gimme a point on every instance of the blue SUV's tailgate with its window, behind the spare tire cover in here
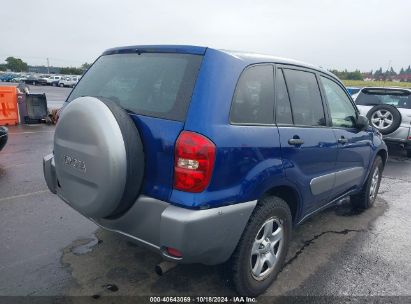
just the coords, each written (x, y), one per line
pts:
(154, 85)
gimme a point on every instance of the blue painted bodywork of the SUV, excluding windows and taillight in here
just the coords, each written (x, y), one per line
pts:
(250, 160)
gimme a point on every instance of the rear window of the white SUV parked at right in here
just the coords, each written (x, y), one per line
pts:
(397, 98)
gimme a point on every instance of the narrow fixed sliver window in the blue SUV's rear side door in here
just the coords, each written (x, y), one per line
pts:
(283, 107)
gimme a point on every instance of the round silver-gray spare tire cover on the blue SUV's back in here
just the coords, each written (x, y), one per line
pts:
(99, 157)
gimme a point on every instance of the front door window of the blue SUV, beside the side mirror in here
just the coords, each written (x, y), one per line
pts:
(342, 111)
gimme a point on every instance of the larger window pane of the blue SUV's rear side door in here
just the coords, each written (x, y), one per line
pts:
(305, 98)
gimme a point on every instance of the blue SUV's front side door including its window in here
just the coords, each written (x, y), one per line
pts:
(354, 146)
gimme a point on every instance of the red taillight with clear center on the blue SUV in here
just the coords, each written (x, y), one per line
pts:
(193, 162)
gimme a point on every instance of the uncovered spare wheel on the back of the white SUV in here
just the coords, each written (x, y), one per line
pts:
(385, 118)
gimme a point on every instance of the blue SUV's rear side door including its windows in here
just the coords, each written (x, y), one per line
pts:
(308, 144)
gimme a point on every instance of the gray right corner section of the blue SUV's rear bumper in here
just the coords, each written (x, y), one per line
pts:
(205, 236)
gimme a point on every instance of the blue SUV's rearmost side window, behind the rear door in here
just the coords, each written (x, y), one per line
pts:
(253, 100)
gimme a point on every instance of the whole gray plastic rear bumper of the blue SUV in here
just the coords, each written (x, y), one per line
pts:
(206, 236)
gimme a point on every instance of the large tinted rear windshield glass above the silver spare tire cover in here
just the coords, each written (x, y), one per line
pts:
(158, 85)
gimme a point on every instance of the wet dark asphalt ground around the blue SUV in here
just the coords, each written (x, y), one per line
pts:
(49, 249)
